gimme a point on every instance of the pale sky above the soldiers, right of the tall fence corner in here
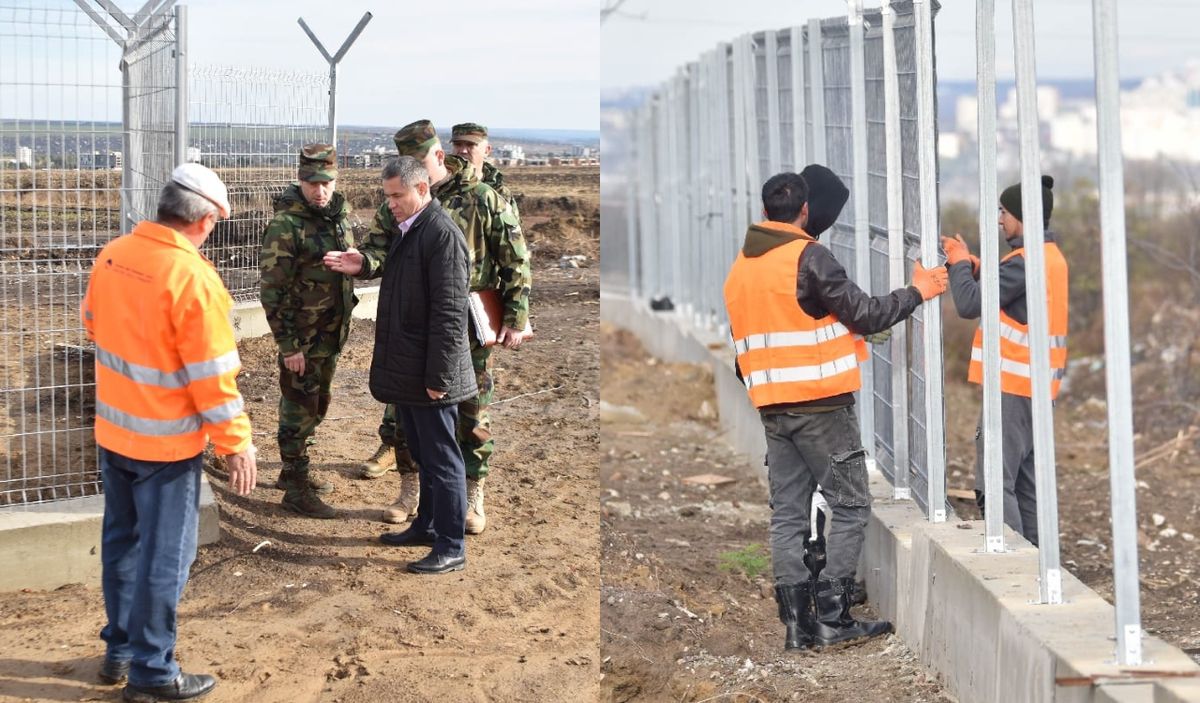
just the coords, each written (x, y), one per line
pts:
(505, 64)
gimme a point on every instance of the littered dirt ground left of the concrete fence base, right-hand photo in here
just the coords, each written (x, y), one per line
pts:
(681, 617)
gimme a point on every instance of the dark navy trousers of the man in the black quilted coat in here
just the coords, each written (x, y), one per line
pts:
(442, 510)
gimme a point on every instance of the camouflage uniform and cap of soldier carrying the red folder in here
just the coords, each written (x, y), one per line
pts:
(500, 261)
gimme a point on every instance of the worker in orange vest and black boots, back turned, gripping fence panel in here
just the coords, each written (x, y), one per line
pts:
(797, 322)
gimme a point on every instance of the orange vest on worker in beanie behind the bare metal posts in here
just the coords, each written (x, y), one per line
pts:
(1015, 338)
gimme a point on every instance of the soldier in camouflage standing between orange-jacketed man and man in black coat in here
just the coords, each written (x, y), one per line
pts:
(309, 310)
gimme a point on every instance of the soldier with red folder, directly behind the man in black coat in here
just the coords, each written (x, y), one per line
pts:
(500, 261)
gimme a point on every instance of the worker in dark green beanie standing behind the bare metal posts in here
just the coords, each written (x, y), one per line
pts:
(1016, 388)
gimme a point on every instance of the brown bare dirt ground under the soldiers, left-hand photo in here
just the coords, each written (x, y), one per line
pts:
(325, 612)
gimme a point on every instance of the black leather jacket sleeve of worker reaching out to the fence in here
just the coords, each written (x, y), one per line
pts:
(823, 287)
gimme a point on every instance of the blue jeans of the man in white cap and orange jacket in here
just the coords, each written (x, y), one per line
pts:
(152, 519)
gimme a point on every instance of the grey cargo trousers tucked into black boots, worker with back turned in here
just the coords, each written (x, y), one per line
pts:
(806, 450)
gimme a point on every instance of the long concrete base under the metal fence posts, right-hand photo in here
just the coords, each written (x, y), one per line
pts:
(968, 615)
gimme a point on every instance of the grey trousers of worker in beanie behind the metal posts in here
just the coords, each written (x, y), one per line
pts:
(1021, 491)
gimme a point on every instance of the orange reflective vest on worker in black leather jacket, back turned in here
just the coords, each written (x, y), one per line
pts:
(785, 354)
